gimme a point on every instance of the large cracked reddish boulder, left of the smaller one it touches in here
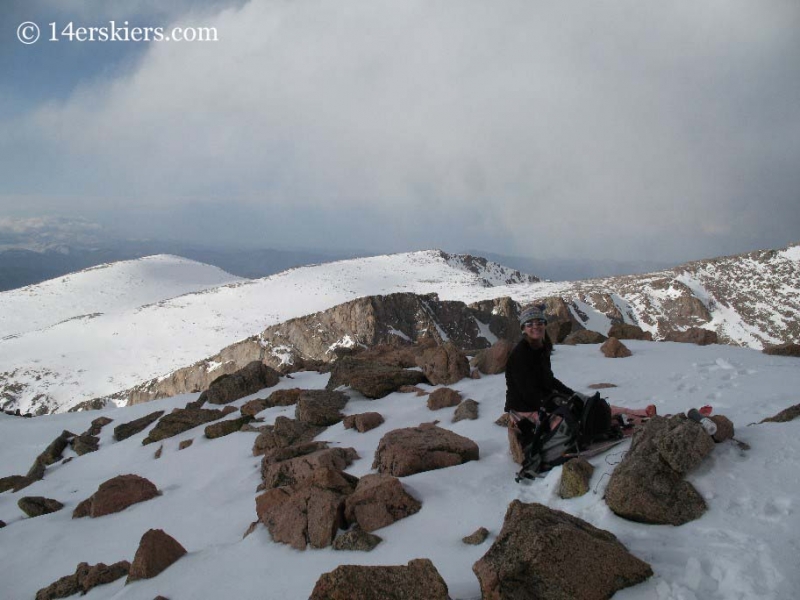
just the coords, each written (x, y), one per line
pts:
(310, 512)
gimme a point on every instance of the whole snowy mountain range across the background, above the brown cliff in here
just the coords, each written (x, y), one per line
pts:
(66, 344)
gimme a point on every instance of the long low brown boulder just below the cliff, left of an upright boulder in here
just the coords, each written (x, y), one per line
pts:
(372, 379)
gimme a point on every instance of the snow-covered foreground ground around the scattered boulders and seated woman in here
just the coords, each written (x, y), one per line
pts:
(745, 547)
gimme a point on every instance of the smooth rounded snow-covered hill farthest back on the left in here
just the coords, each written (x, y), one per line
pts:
(113, 287)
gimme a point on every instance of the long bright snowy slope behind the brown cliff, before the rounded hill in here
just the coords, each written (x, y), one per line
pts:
(98, 355)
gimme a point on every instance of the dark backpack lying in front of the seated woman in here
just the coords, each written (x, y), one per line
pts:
(557, 436)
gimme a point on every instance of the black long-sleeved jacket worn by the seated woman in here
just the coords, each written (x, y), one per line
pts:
(529, 379)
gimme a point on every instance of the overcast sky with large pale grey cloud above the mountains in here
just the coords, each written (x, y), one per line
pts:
(609, 130)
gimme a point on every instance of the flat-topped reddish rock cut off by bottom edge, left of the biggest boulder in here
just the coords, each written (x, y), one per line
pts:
(419, 579)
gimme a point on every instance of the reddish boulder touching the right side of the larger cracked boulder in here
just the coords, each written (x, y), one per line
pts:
(378, 501)
